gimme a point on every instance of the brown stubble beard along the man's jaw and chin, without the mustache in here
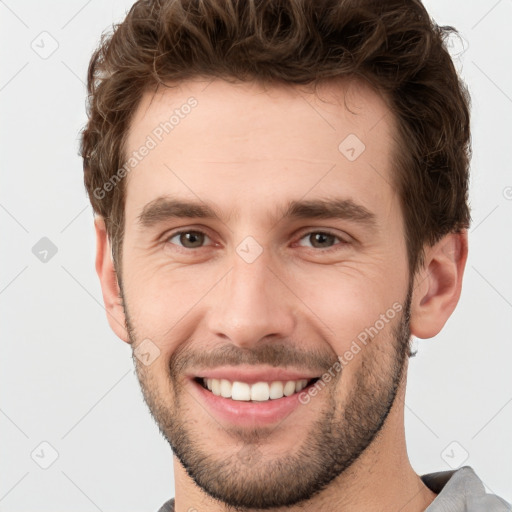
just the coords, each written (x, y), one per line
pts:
(243, 478)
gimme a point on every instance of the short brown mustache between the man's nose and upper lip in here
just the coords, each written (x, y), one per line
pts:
(272, 354)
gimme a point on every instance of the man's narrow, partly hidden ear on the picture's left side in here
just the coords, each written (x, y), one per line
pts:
(108, 279)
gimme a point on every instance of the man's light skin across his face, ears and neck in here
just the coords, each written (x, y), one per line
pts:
(248, 151)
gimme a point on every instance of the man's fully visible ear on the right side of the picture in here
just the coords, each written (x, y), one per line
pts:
(438, 284)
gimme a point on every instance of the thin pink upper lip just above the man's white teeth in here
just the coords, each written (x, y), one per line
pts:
(252, 374)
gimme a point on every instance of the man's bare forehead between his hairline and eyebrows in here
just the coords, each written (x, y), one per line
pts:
(240, 145)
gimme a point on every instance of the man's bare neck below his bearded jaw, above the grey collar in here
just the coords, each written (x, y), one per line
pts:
(381, 479)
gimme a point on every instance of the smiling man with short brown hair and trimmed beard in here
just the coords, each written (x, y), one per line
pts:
(280, 190)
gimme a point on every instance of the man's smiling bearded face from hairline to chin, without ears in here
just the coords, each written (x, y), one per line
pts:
(265, 281)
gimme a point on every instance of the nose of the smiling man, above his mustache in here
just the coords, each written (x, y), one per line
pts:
(251, 303)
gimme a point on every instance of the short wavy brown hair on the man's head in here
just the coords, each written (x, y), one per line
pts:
(392, 44)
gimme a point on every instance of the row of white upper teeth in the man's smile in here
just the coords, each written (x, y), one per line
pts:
(259, 391)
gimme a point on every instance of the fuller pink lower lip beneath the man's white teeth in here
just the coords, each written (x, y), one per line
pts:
(244, 413)
